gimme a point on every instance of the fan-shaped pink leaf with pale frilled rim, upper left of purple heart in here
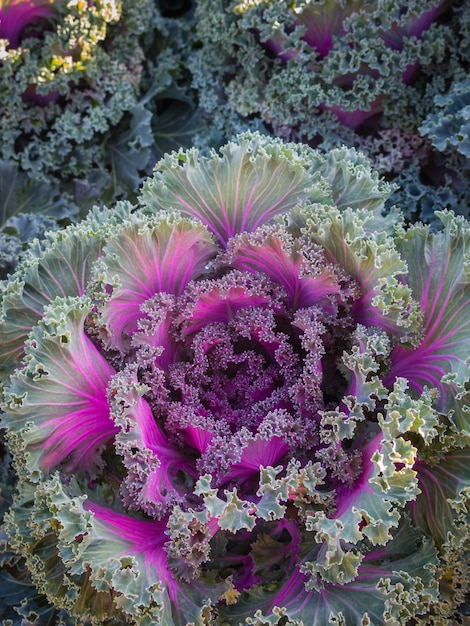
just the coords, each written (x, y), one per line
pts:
(146, 256)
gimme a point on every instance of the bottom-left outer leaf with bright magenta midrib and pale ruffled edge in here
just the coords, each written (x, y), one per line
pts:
(129, 556)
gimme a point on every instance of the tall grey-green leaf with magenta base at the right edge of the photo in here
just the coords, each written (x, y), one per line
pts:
(439, 277)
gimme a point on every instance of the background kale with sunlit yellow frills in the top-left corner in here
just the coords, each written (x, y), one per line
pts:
(77, 82)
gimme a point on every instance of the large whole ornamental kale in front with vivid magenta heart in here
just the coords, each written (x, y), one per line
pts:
(243, 400)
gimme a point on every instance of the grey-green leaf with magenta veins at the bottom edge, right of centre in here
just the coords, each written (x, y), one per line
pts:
(386, 577)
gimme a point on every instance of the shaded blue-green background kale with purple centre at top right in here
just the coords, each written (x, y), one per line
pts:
(328, 72)
